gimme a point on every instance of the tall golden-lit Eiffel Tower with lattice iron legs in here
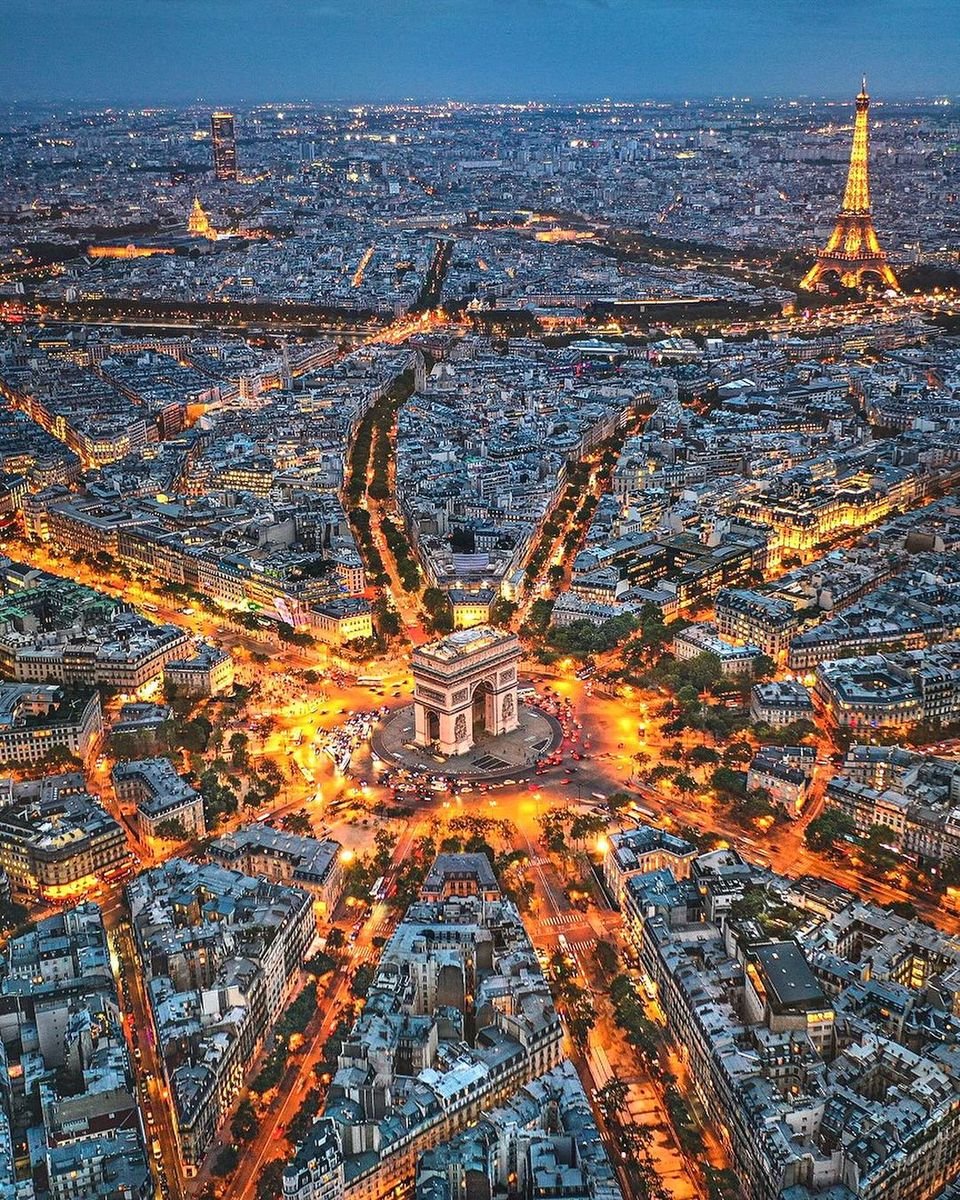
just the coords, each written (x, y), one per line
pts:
(853, 256)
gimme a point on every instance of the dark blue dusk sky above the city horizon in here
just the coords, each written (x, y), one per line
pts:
(235, 51)
